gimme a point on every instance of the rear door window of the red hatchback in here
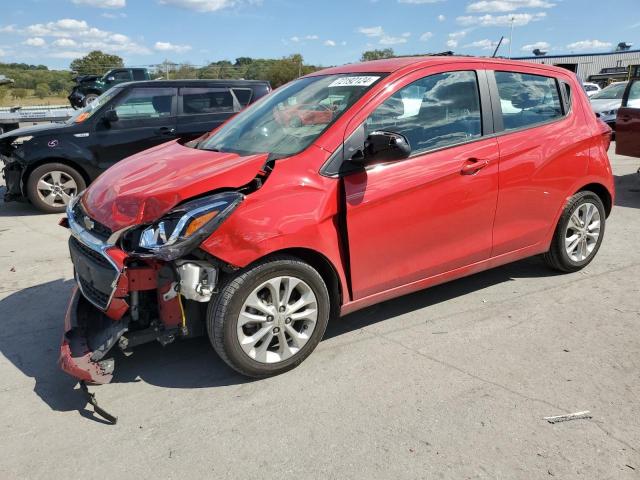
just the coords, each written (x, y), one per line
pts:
(527, 100)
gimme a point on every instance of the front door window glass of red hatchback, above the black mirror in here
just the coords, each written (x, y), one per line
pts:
(434, 112)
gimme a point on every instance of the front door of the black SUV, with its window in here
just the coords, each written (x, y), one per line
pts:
(146, 118)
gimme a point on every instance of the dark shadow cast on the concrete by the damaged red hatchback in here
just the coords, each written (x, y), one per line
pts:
(33, 323)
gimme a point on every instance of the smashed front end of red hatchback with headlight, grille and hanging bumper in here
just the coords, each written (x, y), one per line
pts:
(137, 285)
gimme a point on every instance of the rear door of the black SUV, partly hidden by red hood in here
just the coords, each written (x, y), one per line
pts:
(201, 109)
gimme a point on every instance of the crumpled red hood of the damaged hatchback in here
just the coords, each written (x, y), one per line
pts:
(145, 186)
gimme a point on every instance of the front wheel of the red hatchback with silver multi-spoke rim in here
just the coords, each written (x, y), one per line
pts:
(268, 318)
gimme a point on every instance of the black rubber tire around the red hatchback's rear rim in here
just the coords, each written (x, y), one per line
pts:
(557, 256)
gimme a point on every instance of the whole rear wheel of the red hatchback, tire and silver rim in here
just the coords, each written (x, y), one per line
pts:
(579, 233)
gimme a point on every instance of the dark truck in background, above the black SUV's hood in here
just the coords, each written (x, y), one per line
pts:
(90, 87)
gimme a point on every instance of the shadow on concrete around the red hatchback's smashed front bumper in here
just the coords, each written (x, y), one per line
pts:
(32, 321)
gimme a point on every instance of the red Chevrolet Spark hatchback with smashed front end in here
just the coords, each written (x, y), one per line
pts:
(424, 170)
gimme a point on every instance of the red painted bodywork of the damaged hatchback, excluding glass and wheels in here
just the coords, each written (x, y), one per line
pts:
(392, 228)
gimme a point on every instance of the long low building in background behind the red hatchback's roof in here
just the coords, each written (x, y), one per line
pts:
(600, 68)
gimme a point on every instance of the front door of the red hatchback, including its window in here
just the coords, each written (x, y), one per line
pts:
(432, 212)
